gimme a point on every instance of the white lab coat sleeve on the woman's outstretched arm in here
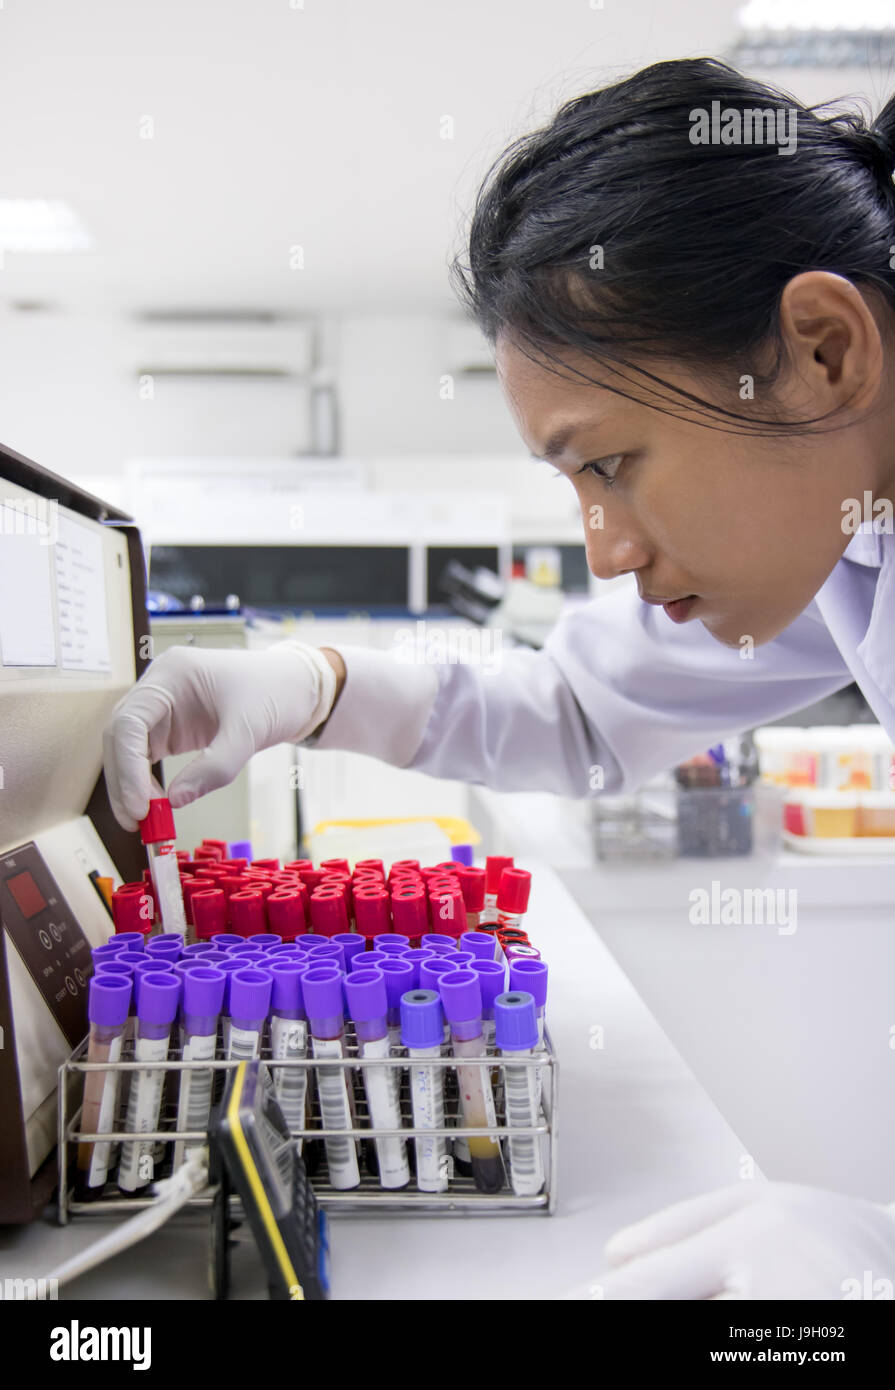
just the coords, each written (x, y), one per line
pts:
(618, 694)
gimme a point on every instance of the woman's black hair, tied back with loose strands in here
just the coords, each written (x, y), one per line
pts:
(700, 240)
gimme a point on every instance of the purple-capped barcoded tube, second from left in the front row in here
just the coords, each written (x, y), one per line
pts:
(158, 999)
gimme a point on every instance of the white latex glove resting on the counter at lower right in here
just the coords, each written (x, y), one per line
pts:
(755, 1241)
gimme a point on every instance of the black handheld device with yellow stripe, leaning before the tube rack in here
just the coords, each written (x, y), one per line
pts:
(255, 1156)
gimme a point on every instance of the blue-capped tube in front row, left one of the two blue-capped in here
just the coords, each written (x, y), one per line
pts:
(422, 1033)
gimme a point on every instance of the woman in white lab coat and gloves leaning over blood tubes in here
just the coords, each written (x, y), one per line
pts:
(694, 322)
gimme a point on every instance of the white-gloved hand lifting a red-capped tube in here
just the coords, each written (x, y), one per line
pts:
(229, 704)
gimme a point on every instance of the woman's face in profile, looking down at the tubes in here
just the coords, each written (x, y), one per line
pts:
(733, 530)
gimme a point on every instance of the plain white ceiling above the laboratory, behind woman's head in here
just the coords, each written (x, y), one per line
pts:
(279, 126)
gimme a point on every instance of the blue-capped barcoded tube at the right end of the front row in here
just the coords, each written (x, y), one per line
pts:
(516, 1035)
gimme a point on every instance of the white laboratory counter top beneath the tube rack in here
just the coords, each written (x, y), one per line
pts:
(636, 1132)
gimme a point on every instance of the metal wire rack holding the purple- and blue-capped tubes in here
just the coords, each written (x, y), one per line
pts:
(461, 1197)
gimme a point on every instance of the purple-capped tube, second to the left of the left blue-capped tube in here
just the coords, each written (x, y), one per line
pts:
(322, 986)
